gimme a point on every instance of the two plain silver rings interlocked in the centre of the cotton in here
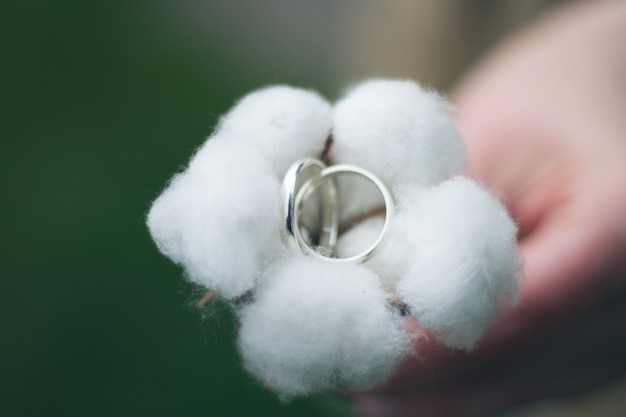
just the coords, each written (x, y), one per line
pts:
(302, 180)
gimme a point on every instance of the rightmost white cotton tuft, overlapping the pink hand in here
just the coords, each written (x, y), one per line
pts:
(464, 262)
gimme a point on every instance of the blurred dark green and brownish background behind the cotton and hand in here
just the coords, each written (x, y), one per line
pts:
(100, 103)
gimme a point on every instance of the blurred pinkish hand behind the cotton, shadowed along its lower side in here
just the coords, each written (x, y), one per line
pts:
(544, 120)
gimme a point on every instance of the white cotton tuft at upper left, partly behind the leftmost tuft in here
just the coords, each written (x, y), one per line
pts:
(284, 123)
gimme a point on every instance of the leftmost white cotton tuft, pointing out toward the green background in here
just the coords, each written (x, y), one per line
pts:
(219, 219)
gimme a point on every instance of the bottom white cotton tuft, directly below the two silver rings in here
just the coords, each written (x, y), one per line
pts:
(318, 326)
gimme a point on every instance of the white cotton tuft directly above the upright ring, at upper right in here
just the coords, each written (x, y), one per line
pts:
(399, 131)
